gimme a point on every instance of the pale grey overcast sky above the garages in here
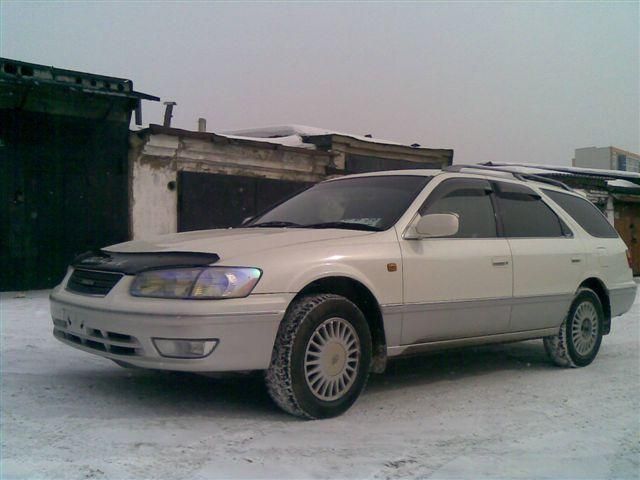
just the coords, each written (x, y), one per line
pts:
(508, 82)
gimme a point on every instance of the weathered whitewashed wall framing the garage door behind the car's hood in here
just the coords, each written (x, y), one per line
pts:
(156, 159)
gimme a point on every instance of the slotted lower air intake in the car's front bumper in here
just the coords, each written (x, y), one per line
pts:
(100, 340)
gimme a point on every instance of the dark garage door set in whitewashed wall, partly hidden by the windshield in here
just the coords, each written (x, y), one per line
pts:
(208, 200)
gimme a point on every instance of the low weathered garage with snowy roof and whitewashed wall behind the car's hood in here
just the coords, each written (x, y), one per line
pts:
(185, 180)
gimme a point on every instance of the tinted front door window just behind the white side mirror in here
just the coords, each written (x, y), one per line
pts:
(470, 199)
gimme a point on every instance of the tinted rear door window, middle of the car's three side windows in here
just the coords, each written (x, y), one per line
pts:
(525, 215)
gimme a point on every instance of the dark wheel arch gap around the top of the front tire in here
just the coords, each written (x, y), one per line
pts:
(365, 300)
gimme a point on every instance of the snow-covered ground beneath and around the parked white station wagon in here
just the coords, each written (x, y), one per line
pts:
(490, 412)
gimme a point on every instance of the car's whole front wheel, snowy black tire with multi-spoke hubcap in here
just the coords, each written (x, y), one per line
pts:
(321, 358)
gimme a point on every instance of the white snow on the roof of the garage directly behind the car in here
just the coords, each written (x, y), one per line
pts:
(297, 133)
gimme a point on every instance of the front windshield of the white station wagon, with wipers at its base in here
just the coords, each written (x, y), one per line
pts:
(364, 203)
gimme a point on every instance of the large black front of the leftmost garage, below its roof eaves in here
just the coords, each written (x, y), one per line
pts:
(63, 191)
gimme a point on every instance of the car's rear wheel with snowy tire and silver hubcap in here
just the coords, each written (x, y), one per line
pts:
(580, 335)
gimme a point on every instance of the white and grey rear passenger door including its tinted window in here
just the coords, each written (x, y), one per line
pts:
(548, 261)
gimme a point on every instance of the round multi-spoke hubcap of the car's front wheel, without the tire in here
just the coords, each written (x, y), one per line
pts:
(331, 359)
